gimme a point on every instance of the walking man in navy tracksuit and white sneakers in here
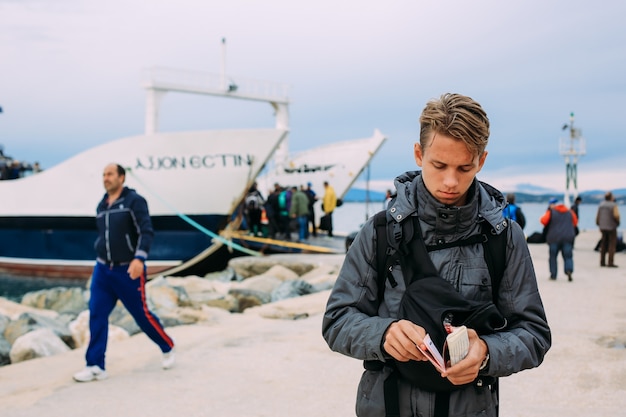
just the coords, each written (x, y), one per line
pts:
(125, 234)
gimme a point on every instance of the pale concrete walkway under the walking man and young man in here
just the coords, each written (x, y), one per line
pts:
(247, 366)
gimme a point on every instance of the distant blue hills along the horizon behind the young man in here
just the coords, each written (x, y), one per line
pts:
(589, 197)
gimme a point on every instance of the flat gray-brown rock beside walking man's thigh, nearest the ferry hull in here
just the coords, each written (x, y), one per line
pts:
(59, 299)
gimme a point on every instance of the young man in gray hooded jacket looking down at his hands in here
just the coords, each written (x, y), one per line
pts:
(451, 205)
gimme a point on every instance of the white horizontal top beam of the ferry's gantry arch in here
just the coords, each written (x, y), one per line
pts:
(170, 78)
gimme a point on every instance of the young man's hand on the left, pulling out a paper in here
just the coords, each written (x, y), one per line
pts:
(401, 340)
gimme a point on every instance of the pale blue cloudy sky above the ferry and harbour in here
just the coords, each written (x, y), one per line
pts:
(71, 74)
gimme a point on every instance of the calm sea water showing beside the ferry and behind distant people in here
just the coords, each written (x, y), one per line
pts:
(347, 218)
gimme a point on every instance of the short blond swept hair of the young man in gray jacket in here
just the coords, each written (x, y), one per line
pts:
(457, 116)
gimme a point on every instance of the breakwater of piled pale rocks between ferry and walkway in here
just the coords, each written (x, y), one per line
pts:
(53, 321)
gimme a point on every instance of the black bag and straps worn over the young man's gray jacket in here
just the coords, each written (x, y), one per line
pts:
(428, 300)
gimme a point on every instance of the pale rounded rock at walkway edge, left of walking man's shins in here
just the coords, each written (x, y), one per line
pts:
(36, 344)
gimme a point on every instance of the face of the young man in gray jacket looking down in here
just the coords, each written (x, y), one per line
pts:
(448, 168)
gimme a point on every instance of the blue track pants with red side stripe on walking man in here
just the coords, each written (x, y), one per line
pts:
(108, 285)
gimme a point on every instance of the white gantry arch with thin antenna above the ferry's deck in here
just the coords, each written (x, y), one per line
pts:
(159, 81)
